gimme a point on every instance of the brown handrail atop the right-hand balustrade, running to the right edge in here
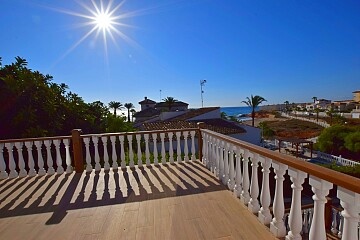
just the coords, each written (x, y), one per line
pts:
(338, 178)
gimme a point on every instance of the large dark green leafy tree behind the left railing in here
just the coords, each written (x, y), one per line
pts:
(34, 106)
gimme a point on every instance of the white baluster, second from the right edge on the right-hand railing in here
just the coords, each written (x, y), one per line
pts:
(320, 188)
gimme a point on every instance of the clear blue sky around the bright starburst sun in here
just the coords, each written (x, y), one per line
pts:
(281, 49)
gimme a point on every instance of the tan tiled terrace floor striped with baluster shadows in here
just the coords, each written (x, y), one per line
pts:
(178, 201)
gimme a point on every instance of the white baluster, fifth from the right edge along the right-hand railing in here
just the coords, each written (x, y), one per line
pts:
(264, 214)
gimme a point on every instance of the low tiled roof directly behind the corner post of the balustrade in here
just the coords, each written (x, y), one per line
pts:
(217, 125)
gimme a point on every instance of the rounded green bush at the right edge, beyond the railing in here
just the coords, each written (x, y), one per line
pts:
(340, 140)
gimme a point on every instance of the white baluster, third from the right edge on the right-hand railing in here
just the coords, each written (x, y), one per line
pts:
(295, 218)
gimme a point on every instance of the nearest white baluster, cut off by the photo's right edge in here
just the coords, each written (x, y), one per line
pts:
(350, 201)
